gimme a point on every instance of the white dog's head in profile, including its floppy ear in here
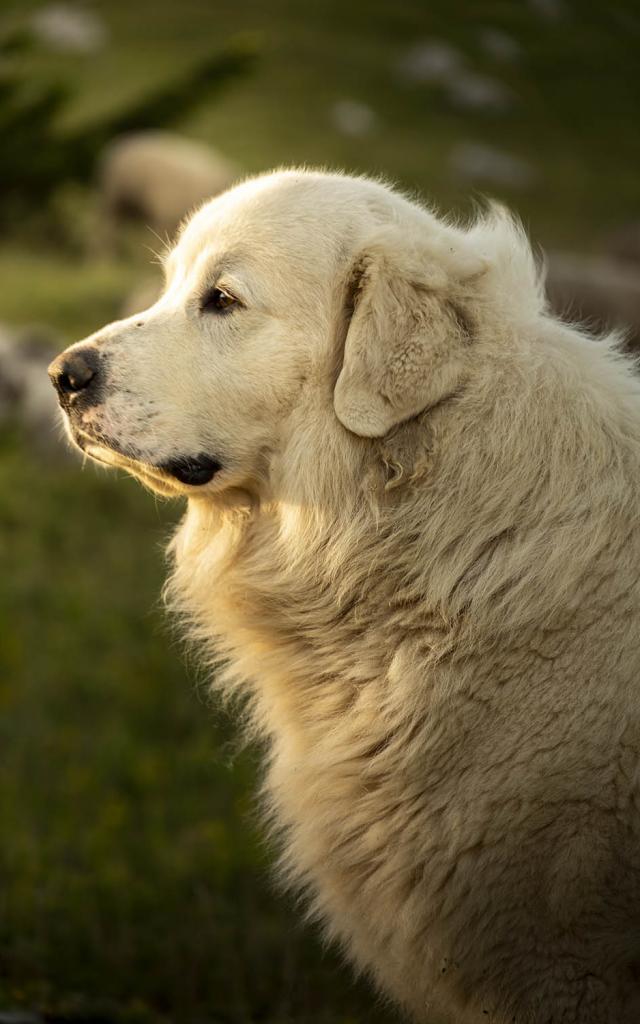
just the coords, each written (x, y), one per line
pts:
(289, 289)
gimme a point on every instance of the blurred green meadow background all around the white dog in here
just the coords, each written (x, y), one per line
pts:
(135, 885)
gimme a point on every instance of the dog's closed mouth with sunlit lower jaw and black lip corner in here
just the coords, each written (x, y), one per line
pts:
(191, 472)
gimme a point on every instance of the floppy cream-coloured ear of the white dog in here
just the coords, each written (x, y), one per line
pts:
(407, 336)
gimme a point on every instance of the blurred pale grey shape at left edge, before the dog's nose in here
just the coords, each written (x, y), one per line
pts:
(26, 394)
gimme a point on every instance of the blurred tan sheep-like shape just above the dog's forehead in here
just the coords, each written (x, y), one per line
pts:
(158, 178)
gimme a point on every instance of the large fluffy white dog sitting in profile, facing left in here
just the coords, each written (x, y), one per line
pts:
(413, 536)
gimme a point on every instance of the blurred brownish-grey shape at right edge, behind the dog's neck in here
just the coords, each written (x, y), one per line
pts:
(596, 291)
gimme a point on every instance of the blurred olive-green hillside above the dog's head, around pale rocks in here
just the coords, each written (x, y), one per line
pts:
(576, 81)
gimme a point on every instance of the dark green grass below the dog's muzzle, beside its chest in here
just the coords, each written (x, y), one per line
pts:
(133, 879)
